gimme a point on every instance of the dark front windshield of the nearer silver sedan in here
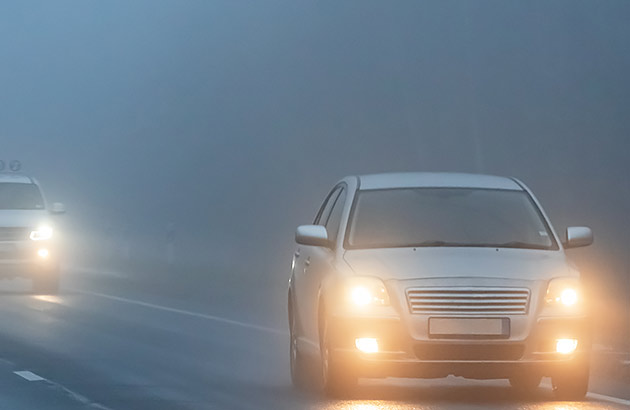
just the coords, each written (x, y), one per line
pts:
(436, 217)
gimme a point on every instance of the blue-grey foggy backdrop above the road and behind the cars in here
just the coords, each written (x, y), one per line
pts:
(230, 120)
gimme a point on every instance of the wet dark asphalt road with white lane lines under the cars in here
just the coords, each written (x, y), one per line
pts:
(99, 347)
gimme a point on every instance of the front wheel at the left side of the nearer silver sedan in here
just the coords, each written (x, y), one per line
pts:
(336, 380)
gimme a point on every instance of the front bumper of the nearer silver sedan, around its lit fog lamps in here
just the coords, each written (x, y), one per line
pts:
(400, 355)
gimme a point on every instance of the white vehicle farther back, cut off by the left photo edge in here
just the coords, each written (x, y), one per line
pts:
(28, 245)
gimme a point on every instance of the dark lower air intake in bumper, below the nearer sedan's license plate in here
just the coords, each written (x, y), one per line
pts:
(469, 352)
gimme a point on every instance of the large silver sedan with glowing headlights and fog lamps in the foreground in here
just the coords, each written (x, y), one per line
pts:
(426, 275)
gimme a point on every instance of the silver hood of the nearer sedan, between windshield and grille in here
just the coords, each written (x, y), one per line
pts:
(427, 263)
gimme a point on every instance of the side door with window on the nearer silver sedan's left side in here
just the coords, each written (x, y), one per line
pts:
(307, 261)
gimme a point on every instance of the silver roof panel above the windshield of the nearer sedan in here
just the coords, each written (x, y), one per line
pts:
(436, 180)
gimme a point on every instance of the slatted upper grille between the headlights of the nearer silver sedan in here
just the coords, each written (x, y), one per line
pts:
(468, 300)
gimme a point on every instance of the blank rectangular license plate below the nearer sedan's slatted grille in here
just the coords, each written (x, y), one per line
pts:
(466, 328)
